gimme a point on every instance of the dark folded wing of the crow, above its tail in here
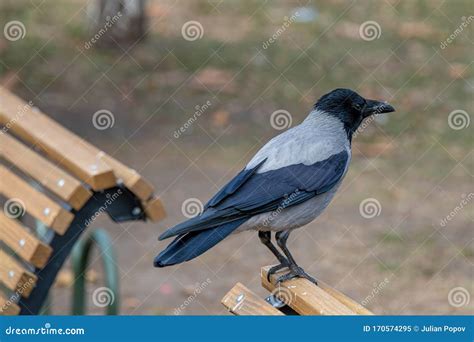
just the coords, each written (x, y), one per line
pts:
(252, 193)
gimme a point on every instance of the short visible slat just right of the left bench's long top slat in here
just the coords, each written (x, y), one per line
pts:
(132, 180)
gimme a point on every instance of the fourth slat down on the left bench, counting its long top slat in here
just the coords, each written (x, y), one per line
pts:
(24, 244)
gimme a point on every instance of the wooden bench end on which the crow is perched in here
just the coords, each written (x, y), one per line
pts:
(295, 297)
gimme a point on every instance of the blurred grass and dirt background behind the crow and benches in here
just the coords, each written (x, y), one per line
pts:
(195, 88)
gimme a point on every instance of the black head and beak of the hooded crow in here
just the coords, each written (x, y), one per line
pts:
(350, 107)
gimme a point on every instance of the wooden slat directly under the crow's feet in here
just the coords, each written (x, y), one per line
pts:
(303, 296)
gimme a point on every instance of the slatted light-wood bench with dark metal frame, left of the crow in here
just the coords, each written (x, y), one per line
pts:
(52, 176)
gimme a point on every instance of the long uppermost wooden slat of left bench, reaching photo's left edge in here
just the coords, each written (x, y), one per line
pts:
(75, 154)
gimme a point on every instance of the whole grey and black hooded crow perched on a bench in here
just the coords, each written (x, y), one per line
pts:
(287, 184)
